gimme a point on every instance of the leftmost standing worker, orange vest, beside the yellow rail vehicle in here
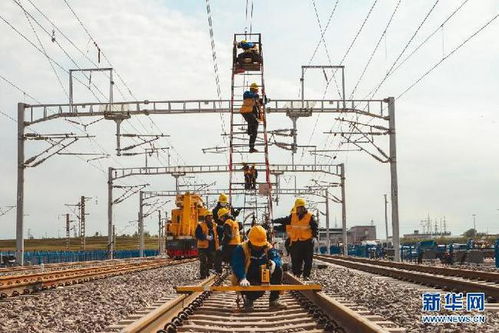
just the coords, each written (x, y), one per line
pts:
(208, 244)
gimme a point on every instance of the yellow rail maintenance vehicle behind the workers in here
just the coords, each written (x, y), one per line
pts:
(180, 239)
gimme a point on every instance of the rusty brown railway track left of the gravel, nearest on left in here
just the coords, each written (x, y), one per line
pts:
(14, 285)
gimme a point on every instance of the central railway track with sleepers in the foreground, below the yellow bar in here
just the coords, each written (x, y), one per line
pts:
(209, 311)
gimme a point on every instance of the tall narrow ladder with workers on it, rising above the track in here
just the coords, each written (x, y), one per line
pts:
(248, 76)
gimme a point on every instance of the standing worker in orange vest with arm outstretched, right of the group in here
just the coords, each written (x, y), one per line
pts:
(301, 229)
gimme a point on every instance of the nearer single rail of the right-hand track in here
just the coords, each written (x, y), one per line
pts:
(430, 279)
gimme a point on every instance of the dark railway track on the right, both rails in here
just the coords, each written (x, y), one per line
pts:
(439, 277)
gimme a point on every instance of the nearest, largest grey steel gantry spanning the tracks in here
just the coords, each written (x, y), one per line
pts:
(28, 115)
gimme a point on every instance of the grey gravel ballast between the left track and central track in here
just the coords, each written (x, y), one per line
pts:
(92, 306)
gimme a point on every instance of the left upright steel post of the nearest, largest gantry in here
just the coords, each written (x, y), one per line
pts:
(20, 186)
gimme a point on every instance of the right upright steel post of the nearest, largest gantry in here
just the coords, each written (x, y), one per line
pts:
(393, 176)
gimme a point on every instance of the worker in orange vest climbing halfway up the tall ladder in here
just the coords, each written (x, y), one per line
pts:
(251, 112)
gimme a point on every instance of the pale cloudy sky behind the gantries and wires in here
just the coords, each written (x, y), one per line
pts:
(447, 124)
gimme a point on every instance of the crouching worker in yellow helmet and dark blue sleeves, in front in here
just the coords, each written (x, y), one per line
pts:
(247, 262)
